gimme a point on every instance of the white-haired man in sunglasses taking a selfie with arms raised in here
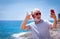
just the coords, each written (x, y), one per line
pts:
(39, 27)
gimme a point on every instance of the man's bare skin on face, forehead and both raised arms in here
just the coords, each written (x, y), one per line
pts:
(37, 19)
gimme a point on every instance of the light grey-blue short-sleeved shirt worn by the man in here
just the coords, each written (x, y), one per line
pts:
(40, 30)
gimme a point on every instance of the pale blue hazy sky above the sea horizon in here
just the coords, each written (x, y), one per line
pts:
(16, 9)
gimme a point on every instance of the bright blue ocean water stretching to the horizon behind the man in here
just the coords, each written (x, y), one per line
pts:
(7, 28)
